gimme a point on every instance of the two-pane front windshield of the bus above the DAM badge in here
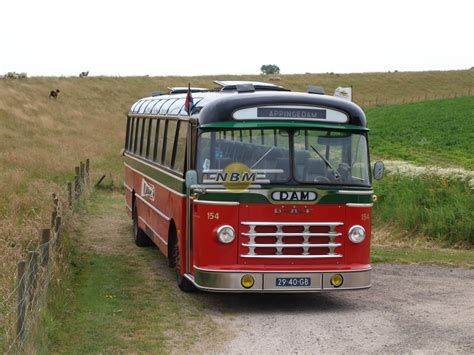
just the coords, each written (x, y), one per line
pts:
(317, 156)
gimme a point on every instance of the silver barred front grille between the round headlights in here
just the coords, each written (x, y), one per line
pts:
(291, 240)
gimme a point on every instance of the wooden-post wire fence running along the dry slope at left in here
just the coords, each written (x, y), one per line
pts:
(21, 307)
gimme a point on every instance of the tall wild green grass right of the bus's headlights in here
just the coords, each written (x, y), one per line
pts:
(428, 206)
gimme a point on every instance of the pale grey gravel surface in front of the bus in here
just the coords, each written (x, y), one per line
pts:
(410, 309)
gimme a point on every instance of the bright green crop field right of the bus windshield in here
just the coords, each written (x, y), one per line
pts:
(428, 133)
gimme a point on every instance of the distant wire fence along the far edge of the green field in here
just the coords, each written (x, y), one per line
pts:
(400, 99)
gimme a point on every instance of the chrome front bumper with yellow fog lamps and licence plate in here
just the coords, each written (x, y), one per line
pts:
(265, 281)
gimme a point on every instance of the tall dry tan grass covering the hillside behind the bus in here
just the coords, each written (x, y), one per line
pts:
(42, 139)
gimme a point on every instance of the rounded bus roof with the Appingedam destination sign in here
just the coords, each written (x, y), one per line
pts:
(262, 105)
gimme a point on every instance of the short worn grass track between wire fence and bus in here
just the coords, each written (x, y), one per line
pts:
(118, 301)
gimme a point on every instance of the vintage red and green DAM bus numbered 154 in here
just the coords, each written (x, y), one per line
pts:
(255, 189)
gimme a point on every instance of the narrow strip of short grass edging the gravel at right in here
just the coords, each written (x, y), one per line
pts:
(445, 257)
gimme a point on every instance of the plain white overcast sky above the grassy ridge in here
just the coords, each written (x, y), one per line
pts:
(206, 37)
